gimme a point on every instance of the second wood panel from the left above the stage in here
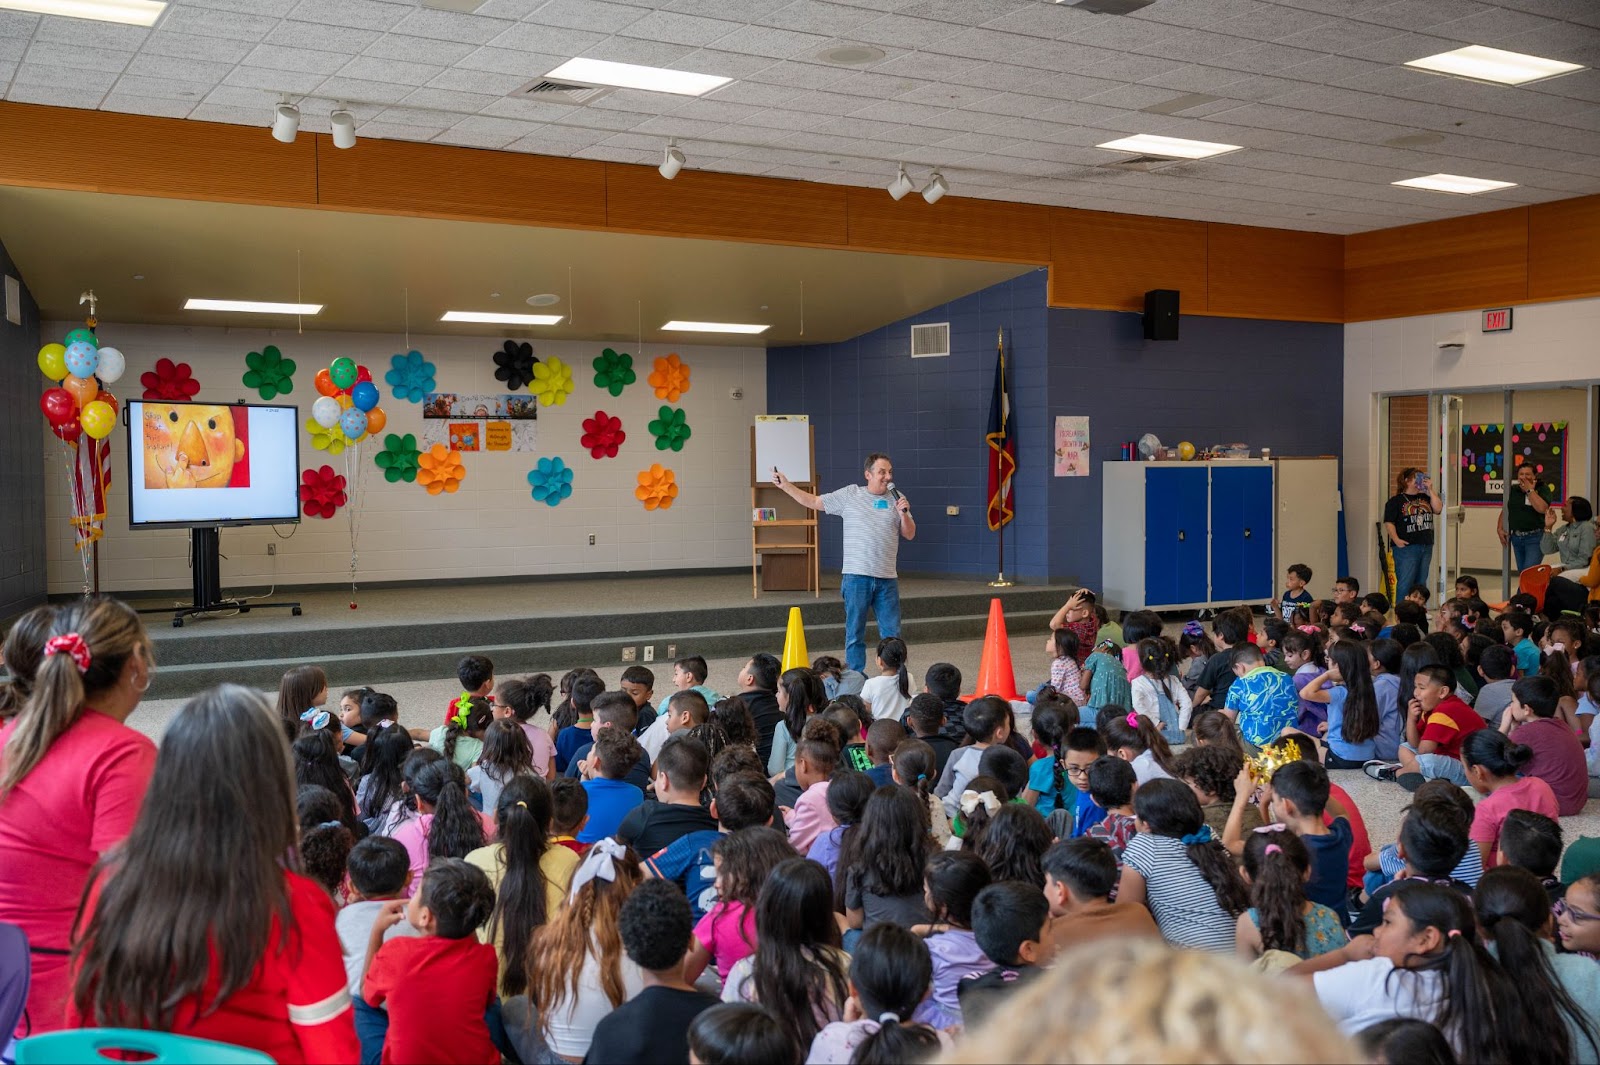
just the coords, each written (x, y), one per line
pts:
(457, 183)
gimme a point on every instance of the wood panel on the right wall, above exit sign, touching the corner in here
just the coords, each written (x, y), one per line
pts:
(1454, 265)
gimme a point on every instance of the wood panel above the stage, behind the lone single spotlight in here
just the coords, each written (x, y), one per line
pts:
(726, 207)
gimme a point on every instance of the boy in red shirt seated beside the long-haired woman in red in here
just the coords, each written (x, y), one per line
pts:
(438, 987)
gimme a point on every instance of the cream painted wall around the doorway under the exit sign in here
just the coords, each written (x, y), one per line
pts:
(1553, 345)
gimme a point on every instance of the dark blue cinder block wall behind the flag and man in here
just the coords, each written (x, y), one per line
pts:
(1276, 385)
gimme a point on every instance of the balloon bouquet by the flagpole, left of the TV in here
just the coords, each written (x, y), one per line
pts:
(81, 405)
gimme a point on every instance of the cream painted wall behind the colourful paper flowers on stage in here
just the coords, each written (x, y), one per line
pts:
(489, 529)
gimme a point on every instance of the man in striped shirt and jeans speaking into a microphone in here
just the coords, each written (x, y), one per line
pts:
(876, 519)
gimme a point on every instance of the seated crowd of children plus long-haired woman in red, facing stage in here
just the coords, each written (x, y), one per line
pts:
(826, 868)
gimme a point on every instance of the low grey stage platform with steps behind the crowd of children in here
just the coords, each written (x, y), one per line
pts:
(524, 626)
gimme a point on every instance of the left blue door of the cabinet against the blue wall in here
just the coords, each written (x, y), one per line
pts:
(1175, 536)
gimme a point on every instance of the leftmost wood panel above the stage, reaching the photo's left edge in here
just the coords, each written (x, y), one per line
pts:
(95, 151)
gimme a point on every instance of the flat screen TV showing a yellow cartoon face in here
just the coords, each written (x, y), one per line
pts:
(207, 465)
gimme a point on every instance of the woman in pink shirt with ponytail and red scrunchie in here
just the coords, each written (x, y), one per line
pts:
(73, 778)
